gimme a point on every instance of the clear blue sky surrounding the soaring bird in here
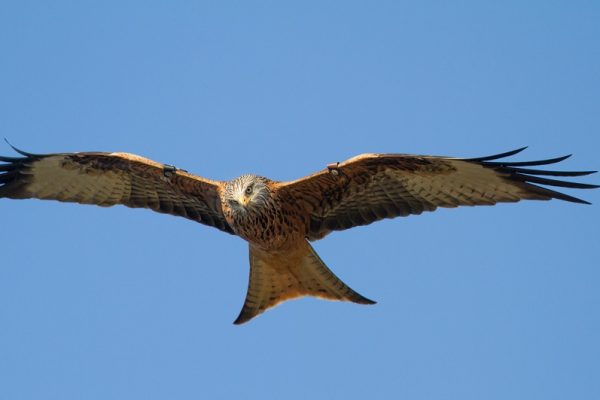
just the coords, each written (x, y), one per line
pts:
(473, 303)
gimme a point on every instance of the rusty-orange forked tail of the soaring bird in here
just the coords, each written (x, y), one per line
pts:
(277, 277)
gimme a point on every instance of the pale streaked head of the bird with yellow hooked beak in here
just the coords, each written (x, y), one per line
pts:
(247, 192)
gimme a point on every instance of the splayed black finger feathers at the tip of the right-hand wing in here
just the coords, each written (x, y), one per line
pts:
(531, 177)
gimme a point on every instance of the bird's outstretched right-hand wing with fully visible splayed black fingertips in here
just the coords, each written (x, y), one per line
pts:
(371, 187)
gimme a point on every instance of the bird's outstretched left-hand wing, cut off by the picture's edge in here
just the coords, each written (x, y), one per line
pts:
(107, 179)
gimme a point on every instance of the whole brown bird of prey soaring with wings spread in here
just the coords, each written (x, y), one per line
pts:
(279, 219)
